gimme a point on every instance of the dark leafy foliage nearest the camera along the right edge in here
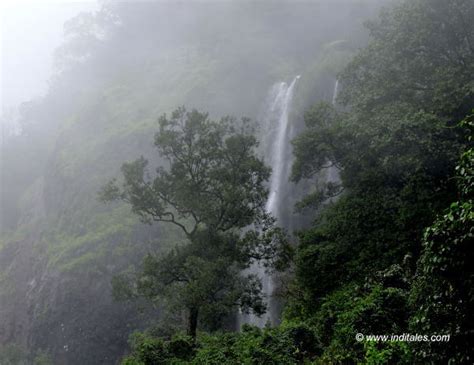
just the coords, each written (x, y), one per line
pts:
(442, 293)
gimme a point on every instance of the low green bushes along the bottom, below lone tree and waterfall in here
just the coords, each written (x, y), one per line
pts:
(287, 344)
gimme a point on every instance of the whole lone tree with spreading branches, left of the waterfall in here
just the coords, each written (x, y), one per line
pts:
(211, 185)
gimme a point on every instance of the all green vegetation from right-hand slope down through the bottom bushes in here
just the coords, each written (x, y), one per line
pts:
(389, 250)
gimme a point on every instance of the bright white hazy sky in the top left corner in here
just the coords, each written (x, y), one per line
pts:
(29, 32)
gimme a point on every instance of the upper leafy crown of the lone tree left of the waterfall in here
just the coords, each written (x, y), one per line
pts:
(213, 180)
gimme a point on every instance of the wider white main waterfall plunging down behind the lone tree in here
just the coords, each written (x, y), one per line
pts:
(276, 143)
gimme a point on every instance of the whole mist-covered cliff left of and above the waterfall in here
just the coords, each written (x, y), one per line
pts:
(59, 246)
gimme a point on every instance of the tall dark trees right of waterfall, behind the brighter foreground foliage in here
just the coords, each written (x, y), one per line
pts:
(396, 142)
